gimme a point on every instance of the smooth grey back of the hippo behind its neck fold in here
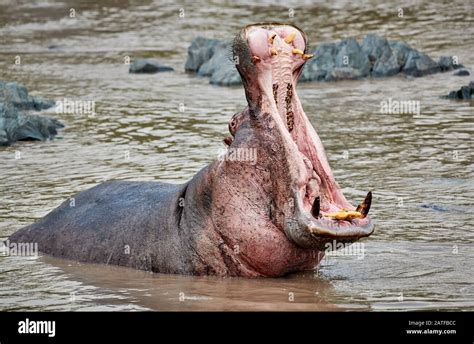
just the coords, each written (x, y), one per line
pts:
(125, 223)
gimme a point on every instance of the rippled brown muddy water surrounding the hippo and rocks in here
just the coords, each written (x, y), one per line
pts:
(419, 166)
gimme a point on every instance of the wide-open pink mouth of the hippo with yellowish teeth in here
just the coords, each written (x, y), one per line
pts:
(308, 203)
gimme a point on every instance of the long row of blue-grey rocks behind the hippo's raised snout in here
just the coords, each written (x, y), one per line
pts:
(347, 59)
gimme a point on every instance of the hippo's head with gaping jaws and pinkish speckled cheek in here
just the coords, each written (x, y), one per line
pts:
(287, 193)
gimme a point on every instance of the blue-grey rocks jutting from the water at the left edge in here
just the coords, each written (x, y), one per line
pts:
(15, 123)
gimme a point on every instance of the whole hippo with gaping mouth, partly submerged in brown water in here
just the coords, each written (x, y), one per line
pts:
(268, 216)
